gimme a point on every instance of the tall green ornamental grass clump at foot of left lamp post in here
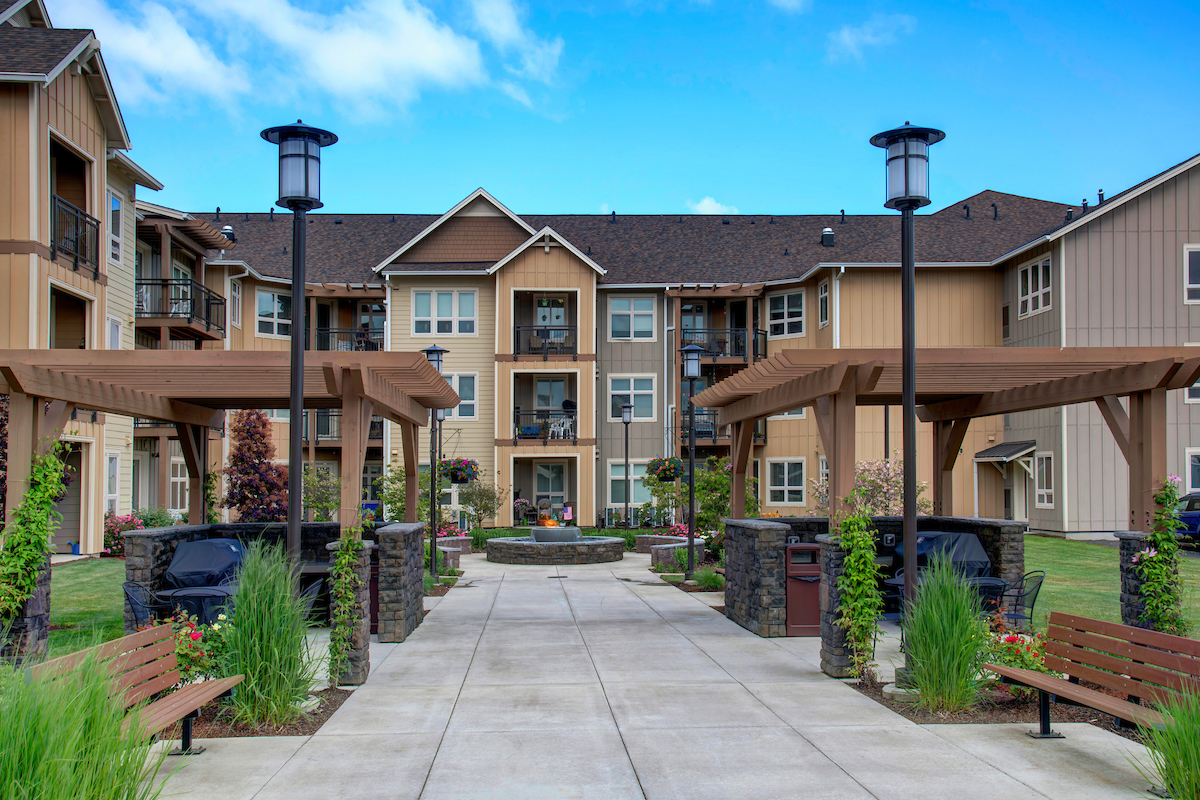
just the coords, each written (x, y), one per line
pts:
(268, 642)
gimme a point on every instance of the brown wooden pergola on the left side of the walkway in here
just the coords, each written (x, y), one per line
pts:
(194, 389)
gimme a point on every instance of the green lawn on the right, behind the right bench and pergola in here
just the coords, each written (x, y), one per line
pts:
(1084, 579)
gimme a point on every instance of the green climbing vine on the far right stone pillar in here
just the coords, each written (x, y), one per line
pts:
(1159, 566)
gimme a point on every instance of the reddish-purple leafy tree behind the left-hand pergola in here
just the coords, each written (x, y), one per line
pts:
(259, 488)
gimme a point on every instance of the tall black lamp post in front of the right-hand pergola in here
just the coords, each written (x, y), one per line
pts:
(908, 167)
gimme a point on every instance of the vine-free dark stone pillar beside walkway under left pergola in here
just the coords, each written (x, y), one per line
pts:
(401, 580)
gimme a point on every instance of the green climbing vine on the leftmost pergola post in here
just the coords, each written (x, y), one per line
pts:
(27, 542)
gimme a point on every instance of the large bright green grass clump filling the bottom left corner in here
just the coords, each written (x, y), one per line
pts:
(67, 738)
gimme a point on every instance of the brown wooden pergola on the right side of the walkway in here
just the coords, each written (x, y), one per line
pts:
(956, 386)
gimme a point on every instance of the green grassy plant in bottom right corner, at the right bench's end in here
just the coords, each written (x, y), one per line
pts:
(1174, 751)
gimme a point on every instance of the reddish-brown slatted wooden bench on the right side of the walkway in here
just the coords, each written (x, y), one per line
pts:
(1144, 665)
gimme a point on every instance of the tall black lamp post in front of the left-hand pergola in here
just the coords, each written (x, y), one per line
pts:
(301, 191)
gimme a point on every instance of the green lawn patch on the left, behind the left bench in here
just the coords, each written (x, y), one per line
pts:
(87, 597)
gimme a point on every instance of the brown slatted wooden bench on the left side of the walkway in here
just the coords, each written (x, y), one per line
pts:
(143, 666)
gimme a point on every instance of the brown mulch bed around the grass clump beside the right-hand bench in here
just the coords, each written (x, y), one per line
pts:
(999, 706)
